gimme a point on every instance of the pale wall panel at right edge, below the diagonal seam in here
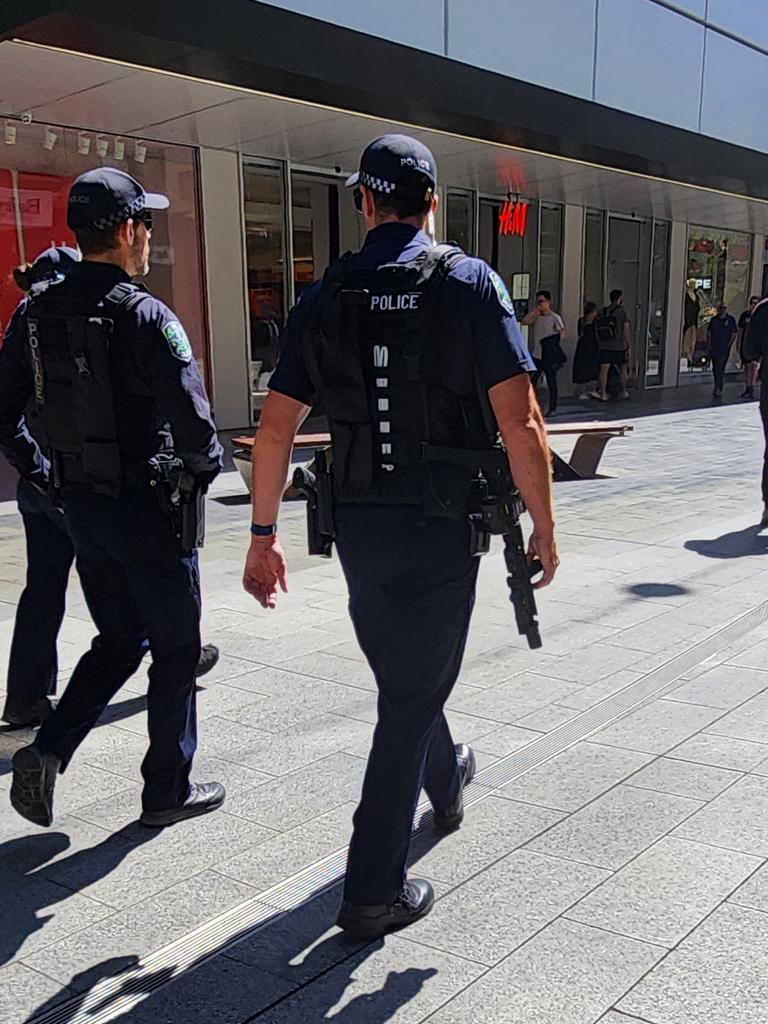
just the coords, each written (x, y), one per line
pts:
(735, 92)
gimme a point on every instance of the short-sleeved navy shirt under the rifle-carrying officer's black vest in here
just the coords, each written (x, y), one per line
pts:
(475, 300)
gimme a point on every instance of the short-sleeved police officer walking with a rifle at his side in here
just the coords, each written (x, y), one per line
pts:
(393, 342)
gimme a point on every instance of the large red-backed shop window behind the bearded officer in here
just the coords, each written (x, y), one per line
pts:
(39, 163)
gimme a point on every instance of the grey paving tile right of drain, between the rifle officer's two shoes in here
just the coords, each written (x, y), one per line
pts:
(492, 829)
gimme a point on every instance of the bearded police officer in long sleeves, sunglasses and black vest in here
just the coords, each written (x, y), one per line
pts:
(112, 375)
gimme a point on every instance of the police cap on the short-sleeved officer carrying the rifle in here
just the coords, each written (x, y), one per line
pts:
(397, 165)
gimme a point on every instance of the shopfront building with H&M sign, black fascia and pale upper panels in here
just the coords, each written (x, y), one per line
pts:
(583, 146)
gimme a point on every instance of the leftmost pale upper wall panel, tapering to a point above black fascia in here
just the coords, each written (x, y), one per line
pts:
(415, 23)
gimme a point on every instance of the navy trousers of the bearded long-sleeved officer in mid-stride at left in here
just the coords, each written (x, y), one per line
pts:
(138, 583)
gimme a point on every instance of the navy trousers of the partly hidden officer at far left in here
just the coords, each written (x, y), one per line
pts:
(33, 665)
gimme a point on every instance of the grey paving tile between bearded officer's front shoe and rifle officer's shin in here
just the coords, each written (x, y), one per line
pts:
(285, 802)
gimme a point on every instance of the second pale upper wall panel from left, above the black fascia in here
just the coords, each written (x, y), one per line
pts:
(548, 42)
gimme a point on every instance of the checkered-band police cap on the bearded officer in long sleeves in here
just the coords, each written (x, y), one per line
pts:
(106, 197)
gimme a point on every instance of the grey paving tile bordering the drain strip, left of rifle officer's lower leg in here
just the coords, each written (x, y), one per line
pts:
(277, 859)
